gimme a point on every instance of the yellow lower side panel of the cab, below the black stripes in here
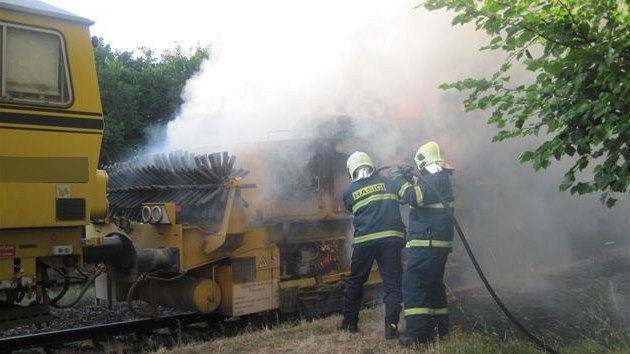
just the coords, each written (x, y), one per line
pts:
(32, 204)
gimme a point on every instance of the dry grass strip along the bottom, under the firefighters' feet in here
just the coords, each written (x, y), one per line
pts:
(321, 336)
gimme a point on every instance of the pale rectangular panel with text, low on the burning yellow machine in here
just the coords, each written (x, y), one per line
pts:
(255, 297)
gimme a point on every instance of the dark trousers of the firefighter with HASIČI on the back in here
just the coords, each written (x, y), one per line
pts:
(388, 258)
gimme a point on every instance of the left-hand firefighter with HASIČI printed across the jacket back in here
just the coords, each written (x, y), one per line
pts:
(379, 235)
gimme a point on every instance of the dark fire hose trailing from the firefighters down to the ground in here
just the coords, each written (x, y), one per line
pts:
(544, 346)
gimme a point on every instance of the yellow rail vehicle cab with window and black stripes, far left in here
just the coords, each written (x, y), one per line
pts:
(51, 126)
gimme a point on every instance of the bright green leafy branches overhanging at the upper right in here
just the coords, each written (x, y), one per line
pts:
(578, 52)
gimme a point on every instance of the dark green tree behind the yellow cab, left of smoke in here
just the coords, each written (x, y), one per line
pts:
(139, 93)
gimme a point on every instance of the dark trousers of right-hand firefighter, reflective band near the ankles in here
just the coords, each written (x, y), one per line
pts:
(424, 293)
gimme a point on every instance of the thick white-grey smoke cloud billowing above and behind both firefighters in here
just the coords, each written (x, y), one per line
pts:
(279, 65)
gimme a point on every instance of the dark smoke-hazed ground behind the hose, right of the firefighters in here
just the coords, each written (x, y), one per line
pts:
(588, 300)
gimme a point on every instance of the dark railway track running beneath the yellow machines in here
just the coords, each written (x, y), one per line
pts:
(146, 334)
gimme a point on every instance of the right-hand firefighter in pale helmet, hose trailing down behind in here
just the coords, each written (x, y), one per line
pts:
(429, 242)
